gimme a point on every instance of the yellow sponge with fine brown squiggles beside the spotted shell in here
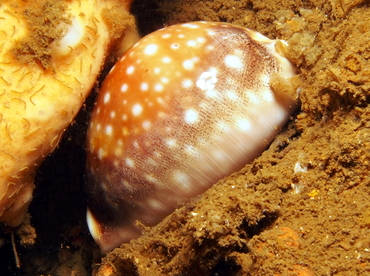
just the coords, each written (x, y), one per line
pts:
(51, 53)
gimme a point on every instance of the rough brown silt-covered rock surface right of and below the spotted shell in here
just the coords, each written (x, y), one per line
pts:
(302, 207)
